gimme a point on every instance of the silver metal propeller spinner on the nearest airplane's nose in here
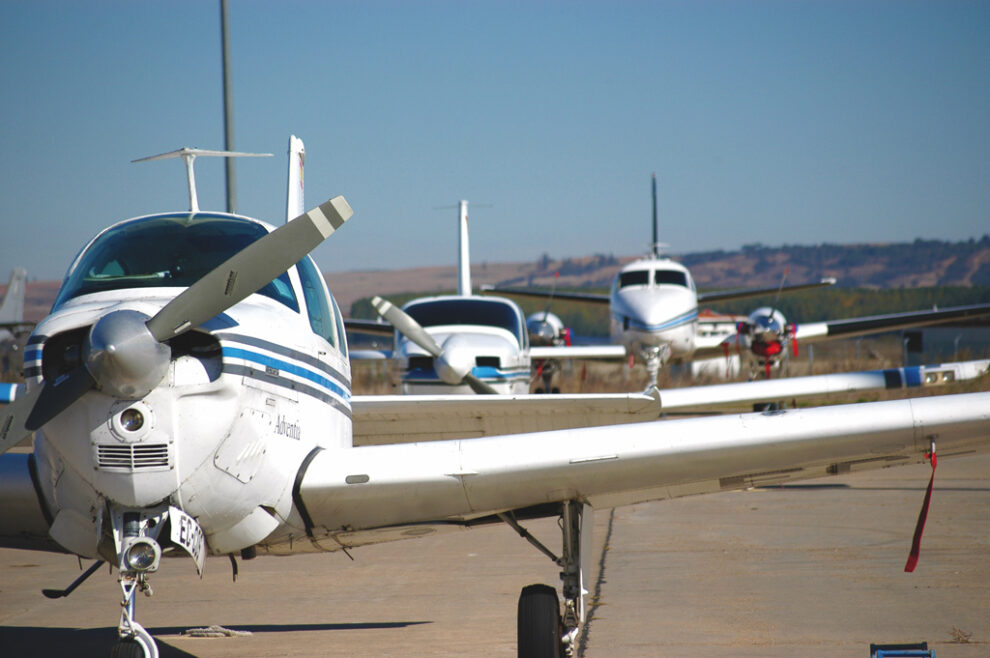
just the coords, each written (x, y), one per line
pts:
(124, 358)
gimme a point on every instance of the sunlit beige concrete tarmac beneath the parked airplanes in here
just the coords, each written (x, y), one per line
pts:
(814, 569)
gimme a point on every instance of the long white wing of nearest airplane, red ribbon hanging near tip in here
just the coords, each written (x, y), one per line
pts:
(347, 497)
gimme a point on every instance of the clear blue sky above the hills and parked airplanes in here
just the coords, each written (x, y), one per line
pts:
(773, 122)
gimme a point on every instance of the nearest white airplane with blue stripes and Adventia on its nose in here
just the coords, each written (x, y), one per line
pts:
(190, 393)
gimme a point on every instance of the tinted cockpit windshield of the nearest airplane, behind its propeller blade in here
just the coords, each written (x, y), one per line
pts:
(166, 251)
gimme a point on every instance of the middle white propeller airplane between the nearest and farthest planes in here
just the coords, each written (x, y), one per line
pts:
(465, 343)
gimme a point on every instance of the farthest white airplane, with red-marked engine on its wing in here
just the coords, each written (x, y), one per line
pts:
(654, 314)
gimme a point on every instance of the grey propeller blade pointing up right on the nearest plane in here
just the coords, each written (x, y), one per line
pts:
(249, 270)
